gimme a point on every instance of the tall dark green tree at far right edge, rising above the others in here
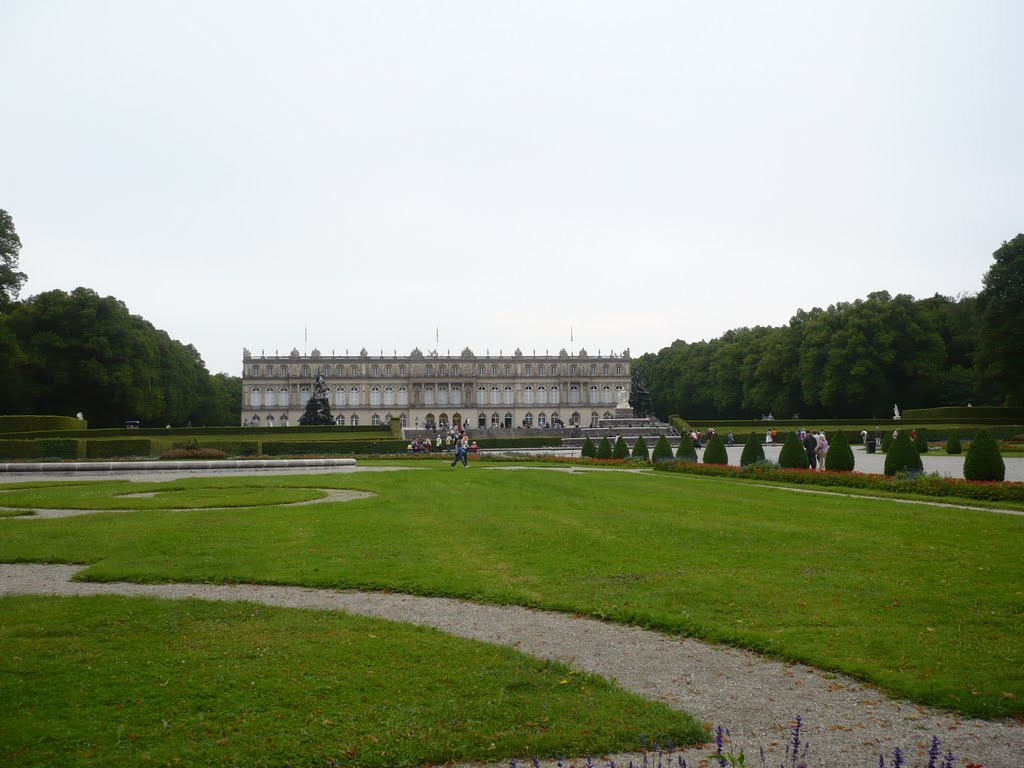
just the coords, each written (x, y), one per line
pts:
(1001, 306)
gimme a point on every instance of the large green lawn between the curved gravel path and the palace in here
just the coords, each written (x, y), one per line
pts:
(921, 601)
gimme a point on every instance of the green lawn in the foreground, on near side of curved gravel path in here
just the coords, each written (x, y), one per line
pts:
(111, 681)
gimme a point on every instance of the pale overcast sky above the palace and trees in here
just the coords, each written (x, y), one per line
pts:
(500, 174)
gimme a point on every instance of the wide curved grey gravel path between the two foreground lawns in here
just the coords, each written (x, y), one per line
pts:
(848, 723)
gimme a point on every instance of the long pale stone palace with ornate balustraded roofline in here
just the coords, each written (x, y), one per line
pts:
(425, 391)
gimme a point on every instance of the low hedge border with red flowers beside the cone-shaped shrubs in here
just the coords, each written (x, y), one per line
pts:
(923, 486)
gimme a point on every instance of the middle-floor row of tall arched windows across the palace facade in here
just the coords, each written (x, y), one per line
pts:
(442, 397)
